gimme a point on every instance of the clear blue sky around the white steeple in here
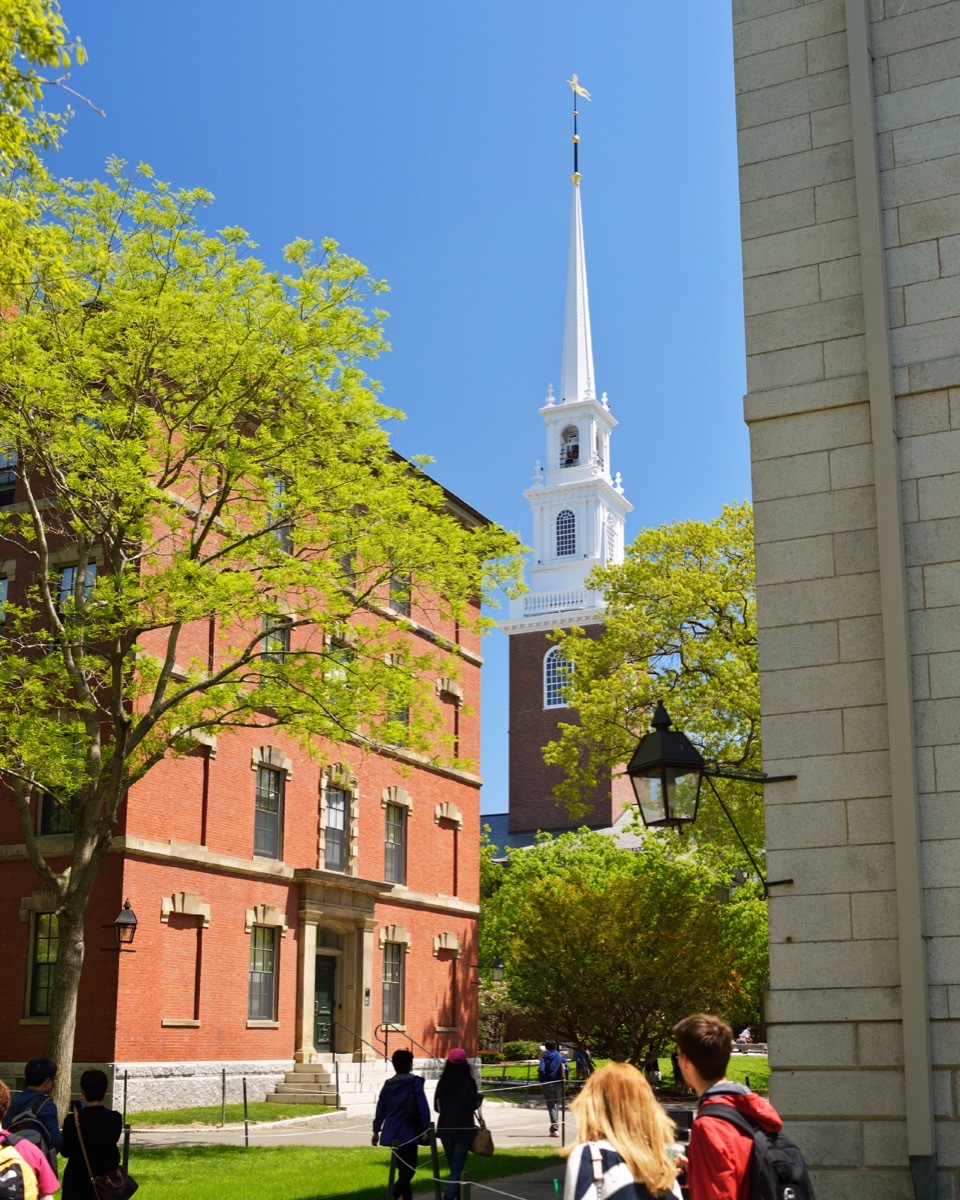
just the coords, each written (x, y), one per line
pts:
(431, 139)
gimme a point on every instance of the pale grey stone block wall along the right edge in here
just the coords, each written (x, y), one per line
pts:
(836, 1031)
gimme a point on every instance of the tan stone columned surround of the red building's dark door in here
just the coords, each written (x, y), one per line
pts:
(345, 905)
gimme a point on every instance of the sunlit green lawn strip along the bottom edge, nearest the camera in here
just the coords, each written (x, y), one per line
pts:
(302, 1173)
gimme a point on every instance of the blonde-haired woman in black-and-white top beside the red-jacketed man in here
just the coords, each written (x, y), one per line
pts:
(621, 1153)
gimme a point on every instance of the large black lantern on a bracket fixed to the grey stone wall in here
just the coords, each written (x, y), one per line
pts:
(668, 772)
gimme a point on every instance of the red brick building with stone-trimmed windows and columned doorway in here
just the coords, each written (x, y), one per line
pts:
(285, 910)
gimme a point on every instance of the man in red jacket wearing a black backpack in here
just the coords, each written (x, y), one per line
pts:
(737, 1151)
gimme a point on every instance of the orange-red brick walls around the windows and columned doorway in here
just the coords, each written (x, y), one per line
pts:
(183, 998)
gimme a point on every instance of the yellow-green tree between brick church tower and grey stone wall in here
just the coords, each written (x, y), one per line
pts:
(680, 628)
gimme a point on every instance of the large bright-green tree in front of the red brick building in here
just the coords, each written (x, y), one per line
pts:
(211, 521)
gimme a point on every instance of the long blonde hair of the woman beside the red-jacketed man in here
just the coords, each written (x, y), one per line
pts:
(617, 1106)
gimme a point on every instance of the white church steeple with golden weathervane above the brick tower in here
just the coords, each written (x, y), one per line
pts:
(579, 508)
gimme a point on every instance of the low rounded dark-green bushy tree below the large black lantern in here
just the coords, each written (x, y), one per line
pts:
(610, 947)
